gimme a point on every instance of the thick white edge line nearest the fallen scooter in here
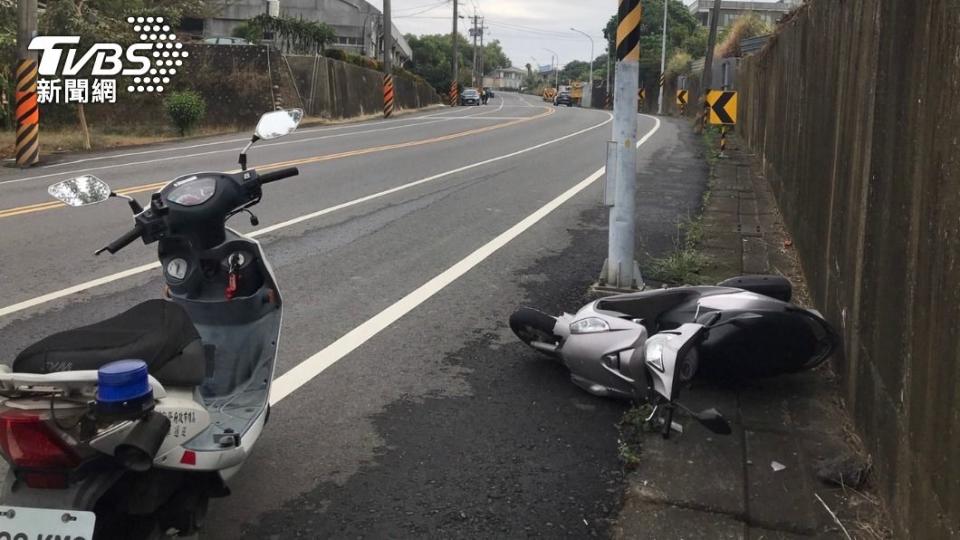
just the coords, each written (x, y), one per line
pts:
(306, 370)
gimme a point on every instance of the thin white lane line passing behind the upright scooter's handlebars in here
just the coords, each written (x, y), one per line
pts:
(49, 297)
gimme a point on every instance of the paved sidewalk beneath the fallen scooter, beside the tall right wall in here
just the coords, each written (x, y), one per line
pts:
(789, 432)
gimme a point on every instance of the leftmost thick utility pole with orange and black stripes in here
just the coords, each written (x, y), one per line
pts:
(26, 108)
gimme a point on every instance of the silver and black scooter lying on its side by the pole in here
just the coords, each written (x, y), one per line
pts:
(644, 346)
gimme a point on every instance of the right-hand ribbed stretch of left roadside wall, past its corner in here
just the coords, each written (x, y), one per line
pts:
(334, 89)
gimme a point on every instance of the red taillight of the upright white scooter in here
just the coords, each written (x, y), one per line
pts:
(29, 443)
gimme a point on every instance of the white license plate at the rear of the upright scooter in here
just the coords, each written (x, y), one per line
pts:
(17, 523)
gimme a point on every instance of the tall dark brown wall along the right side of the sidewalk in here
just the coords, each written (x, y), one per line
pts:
(854, 108)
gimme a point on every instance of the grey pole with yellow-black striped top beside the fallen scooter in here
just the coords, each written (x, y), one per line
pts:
(622, 271)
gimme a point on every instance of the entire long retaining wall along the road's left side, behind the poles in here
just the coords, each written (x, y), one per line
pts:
(239, 83)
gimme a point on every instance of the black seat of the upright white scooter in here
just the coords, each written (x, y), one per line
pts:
(158, 332)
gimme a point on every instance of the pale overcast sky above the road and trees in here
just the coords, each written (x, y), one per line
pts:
(525, 28)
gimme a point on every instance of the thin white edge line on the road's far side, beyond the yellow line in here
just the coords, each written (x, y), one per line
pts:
(210, 152)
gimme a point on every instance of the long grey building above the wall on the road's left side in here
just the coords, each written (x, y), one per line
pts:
(357, 23)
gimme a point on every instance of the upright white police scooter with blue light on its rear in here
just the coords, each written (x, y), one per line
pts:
(127, 427)
